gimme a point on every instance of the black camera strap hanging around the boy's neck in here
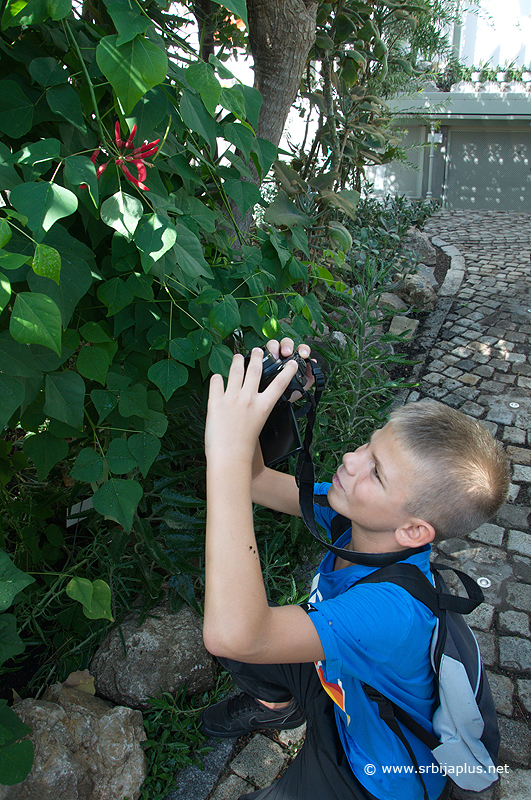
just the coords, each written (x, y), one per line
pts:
(305, 478)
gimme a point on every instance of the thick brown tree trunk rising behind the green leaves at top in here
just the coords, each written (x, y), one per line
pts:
(281, 33)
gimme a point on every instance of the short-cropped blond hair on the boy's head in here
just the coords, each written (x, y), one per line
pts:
(461, 473)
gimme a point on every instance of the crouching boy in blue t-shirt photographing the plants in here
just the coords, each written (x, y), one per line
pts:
(430, 471)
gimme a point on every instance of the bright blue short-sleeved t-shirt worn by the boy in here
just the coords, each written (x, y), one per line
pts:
(380, 635)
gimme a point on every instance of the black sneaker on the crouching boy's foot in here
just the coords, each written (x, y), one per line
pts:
(241, 714)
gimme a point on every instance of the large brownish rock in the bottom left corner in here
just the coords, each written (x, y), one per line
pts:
(85, 749)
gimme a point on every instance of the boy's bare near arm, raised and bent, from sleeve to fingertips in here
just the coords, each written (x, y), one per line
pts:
(238, 622)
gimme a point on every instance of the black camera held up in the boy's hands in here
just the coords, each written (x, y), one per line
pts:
(280, 436)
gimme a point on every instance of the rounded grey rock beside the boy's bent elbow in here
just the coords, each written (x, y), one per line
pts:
(161, 655)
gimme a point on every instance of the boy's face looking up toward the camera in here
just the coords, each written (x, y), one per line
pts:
(372, 484)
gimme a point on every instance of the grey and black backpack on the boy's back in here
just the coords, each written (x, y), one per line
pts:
(466, 740)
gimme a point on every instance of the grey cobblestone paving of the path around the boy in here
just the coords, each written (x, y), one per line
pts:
(477, 357)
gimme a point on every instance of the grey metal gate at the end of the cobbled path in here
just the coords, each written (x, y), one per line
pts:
(488, 169)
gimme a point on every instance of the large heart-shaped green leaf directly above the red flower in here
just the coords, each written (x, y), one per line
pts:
(131, 68)
